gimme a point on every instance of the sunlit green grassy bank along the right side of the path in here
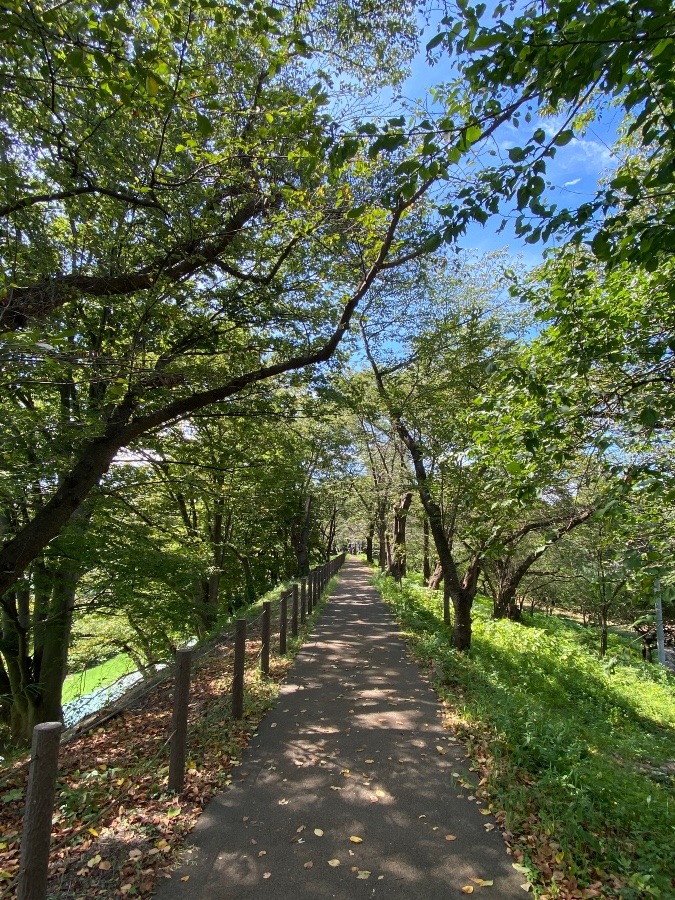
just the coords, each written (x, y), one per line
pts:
(578, 752)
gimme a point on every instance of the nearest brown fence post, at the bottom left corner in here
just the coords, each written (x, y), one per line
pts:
(37, 819)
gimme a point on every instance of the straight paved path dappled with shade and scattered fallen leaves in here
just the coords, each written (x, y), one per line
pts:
(354, 749)
